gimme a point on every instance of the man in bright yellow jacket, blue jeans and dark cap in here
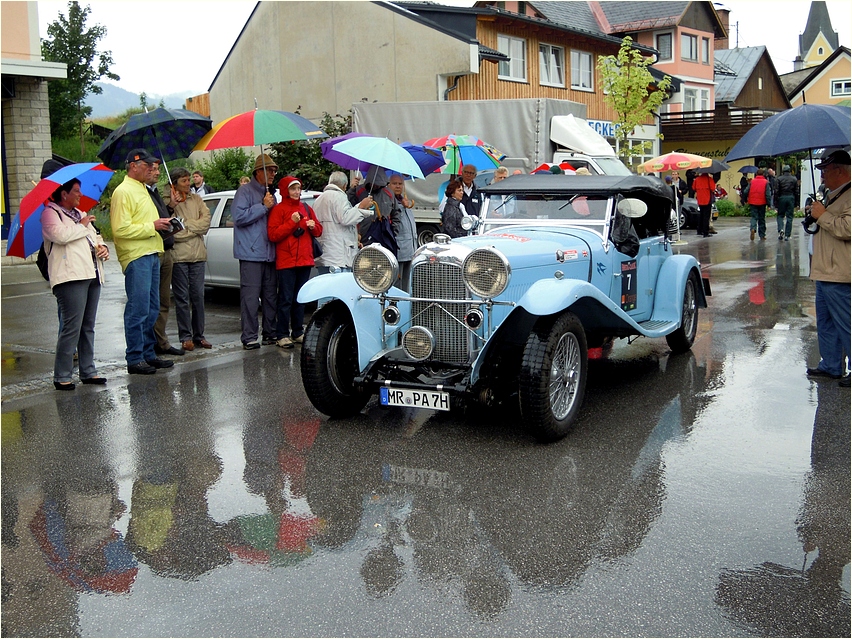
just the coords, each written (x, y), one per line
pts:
(135, 228)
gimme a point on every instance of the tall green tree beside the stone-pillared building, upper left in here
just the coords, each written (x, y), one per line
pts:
(76, 45)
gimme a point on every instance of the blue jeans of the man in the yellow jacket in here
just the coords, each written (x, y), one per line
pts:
(142, 285)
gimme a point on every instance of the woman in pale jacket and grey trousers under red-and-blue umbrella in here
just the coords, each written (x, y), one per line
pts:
(75, 252)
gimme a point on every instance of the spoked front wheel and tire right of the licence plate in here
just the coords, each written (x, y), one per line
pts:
(553, 376)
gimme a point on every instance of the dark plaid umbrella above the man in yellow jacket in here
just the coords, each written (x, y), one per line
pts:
(167, 133)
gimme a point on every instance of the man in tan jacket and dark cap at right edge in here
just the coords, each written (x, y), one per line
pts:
(831, 269)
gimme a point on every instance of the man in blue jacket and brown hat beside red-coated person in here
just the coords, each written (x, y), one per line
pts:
(258, 278)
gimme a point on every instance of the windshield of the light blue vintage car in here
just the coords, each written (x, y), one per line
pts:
(523, 208)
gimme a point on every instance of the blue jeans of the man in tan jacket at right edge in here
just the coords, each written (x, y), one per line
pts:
(833, 309)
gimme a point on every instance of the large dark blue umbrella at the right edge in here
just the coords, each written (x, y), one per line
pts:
(806, 127)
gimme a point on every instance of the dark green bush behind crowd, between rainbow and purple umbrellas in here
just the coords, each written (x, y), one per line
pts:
(303, 159)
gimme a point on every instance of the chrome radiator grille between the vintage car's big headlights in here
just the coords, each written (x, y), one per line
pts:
(438, 280)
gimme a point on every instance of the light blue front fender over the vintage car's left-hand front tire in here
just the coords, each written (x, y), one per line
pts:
(363, 307)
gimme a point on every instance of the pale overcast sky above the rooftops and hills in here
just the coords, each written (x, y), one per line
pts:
(150, 39)
